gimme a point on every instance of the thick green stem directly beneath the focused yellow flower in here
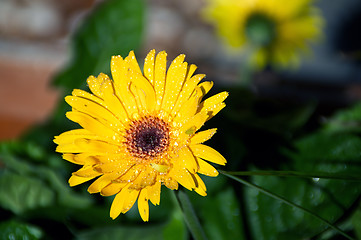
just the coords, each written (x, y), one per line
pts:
(190, 216)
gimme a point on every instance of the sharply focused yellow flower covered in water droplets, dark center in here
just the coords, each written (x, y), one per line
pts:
(139, 131)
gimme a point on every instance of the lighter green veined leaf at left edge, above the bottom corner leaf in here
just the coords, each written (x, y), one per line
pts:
(20, 193)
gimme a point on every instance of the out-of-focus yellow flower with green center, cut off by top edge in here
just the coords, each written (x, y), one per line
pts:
(276, 30)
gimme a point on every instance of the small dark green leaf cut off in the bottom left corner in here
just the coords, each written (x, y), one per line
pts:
(11, 230)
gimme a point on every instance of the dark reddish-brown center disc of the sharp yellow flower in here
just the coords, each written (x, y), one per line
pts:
(147, 137)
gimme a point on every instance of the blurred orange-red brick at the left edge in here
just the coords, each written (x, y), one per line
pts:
(25, 95)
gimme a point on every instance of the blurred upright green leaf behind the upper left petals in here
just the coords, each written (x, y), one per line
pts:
(114, 28)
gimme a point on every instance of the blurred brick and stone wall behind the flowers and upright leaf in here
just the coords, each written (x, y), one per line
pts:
(35, 36)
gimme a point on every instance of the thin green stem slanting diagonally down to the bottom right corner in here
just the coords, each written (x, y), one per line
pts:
(275, 196)
